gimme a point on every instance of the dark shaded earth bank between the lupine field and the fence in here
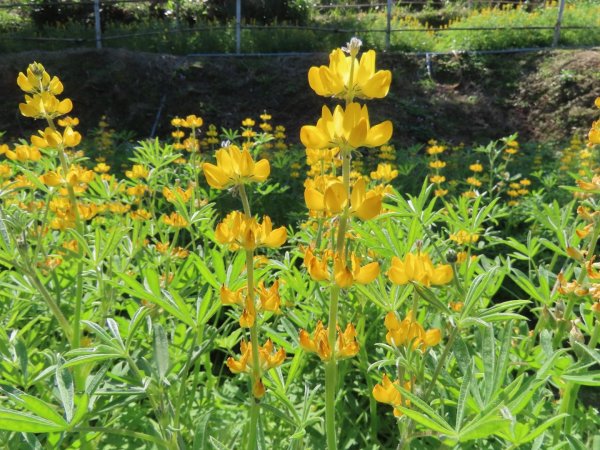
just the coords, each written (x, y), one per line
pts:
(543, 96)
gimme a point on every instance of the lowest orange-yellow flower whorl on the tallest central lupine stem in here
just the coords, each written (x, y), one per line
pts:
(345, 346)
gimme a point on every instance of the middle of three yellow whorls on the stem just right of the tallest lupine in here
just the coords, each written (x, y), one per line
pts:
(409, 332)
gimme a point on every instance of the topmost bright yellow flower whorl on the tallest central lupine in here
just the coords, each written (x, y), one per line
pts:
(334, 80)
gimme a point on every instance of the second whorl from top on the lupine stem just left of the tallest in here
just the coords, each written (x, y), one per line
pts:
(240, 231)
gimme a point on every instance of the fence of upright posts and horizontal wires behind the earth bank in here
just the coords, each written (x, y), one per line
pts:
(238, 26)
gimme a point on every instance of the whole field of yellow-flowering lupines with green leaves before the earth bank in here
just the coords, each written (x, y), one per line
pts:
(441, 296)
